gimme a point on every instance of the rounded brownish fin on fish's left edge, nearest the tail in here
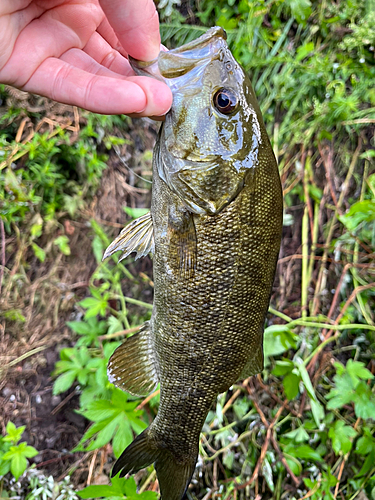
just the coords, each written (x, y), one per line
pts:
(131, 367)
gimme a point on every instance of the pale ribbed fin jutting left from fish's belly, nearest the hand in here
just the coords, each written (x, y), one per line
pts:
(138, 237)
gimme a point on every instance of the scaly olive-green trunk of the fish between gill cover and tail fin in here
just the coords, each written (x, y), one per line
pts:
(209, 327)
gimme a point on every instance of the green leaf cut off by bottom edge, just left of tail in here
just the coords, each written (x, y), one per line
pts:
(121, 488)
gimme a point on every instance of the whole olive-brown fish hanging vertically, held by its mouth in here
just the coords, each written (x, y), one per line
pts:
(214, 231)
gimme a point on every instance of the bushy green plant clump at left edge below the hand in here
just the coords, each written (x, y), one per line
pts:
(43, 184)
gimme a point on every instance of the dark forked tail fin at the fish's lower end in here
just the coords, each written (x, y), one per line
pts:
(174, 476)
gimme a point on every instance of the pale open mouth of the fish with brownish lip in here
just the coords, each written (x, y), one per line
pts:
(182, 60)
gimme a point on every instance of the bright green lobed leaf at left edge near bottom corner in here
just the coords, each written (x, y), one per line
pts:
(13, 456)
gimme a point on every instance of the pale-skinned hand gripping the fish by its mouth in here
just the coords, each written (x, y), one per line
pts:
(75, 52)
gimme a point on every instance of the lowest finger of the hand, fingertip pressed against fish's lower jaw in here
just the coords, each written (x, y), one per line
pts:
(65, 83)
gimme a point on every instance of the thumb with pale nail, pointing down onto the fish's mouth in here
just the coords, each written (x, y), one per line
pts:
(136, 24)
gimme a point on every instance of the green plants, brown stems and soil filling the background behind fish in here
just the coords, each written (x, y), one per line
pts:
(70, 180)
